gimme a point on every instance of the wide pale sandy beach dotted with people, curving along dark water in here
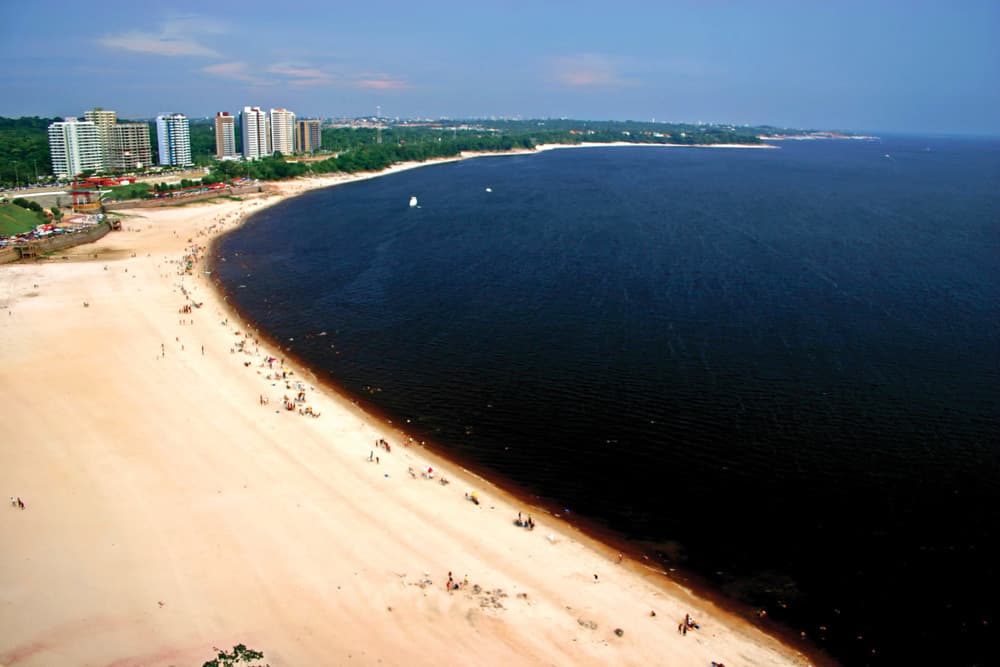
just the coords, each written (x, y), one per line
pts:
(173, 503)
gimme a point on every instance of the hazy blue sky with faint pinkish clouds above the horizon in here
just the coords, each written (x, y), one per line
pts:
(913, 66)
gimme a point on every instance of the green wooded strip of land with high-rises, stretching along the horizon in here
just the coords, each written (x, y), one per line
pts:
(341, 145)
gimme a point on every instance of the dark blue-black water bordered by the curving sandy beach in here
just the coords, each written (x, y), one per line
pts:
(778, 370)
